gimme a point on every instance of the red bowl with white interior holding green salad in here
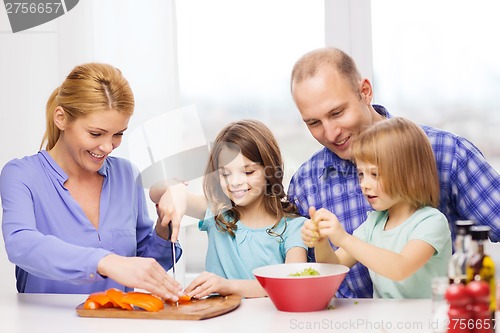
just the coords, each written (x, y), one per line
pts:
(300, 293)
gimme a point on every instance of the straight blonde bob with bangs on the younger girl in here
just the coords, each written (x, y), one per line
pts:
(403, 155)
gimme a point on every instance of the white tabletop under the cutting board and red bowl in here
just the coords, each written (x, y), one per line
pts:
(37, 313)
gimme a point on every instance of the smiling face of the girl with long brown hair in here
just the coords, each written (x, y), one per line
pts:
(242, 180)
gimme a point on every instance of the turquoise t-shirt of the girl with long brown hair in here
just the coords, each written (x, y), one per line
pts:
(236, 257)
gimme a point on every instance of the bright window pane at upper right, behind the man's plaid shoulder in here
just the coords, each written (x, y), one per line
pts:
(436, 62)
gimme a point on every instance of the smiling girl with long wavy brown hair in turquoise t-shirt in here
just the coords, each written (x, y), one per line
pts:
(244, 211)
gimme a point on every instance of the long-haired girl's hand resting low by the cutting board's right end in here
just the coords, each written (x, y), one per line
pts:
(207, 283)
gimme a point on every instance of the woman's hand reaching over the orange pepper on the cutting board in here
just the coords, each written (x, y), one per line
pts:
(142, 273)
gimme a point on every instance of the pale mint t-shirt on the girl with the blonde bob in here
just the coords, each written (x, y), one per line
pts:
(427, 224)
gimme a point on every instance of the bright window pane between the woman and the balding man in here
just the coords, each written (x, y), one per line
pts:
(235, 60)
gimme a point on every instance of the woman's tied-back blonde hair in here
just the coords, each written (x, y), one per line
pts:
(88, 88)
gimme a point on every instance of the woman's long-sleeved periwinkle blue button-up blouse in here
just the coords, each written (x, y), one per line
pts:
(51, 241)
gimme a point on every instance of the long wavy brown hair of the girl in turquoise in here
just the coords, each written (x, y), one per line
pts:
(256, 142)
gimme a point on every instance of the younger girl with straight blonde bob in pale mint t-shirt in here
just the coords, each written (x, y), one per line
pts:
(405, 241)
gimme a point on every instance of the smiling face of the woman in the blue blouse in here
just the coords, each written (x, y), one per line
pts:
(89, 140)
